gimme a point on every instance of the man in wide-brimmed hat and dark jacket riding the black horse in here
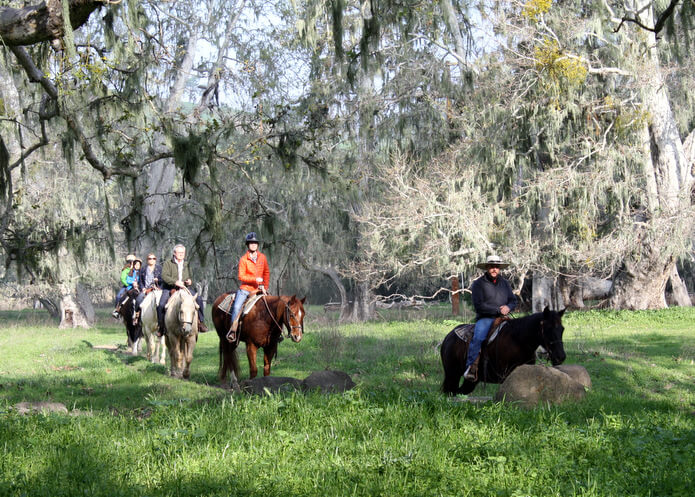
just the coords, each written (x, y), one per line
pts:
(492, 297)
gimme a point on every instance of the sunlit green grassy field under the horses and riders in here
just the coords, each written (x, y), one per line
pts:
(133, 431)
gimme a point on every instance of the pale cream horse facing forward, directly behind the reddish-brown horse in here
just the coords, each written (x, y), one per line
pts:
(181, 320)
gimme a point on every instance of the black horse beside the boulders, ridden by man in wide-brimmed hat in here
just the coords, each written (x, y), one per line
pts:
(515, 344)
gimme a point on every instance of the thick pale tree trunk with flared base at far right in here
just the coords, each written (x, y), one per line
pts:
(641, 281)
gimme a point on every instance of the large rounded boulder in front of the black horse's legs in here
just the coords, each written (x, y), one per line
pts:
(528, 385)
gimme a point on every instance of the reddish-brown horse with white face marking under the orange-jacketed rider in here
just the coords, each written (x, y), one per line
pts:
(260, 328)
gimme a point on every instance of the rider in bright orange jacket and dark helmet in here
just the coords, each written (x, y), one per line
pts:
(254, 276)
